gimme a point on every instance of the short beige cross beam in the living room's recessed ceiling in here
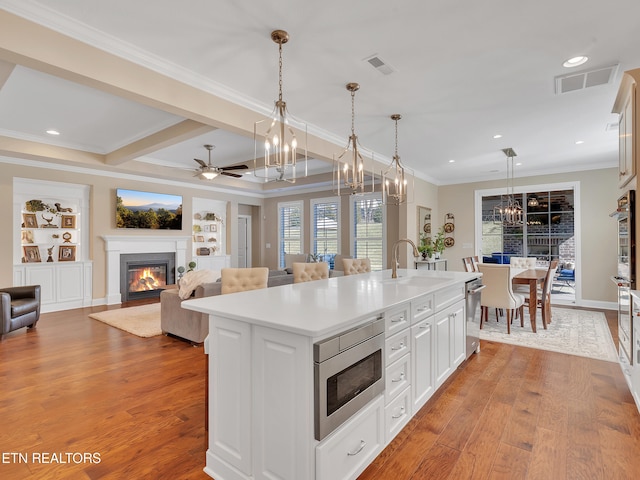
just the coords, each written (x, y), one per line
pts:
(177, 133)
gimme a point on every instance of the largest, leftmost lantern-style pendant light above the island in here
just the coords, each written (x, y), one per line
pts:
(280, 141)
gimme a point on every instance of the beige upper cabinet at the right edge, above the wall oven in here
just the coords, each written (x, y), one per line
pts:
(626, 106)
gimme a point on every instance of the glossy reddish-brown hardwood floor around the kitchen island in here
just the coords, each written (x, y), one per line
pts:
(76, 385)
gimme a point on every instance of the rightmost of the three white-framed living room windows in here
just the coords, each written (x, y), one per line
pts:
(368, 229)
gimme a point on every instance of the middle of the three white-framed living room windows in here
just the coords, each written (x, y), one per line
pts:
(325, 235)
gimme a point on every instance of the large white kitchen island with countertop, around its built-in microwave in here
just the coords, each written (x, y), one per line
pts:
(261, 368)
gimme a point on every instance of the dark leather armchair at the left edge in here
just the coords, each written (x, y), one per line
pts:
(20, 308)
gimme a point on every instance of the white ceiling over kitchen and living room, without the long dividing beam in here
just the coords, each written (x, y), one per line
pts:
(459, 72)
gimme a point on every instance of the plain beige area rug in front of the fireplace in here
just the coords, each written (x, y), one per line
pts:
(143, 321)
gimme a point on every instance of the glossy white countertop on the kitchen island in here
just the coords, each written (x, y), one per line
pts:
(322, 307)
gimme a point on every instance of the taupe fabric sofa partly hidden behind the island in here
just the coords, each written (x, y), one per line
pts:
(194, 326)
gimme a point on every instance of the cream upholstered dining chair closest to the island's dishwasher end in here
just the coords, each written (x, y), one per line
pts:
(499, 294)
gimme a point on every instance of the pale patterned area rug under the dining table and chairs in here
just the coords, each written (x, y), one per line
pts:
(575, 332)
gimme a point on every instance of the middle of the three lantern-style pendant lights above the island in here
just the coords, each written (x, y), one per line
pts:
(350, 175)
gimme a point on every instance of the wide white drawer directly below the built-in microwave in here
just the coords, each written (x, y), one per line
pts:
(348, 451)
